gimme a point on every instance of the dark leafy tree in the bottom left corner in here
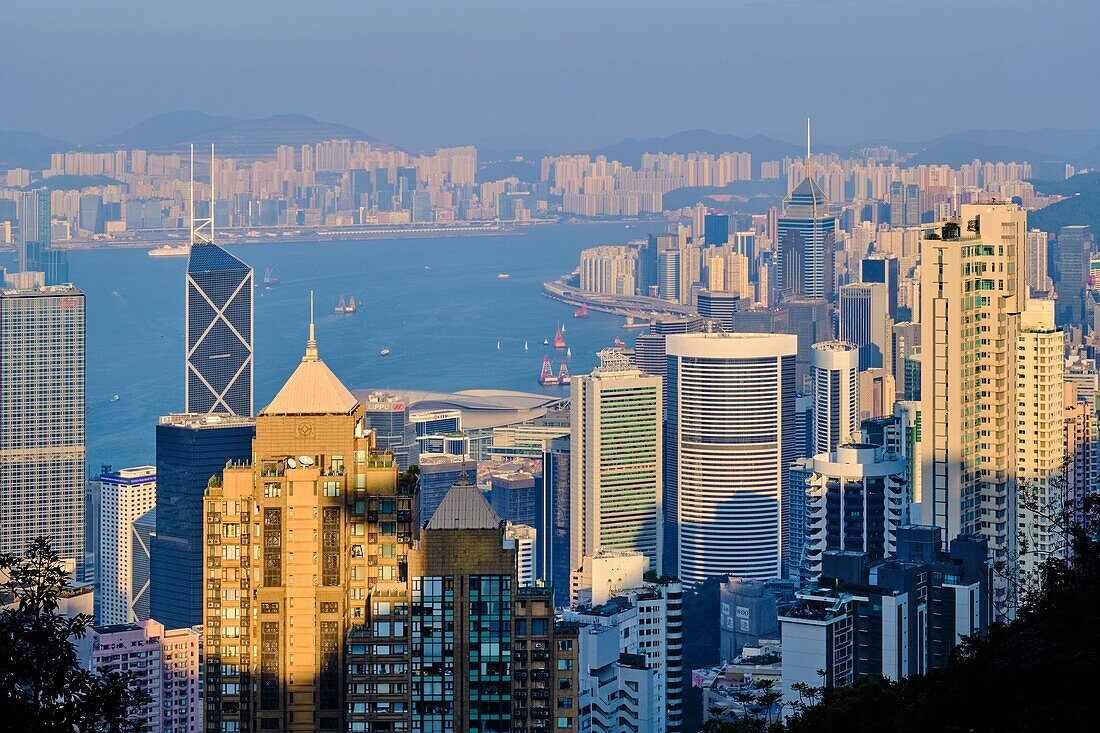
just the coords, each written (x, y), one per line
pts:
(42, 686)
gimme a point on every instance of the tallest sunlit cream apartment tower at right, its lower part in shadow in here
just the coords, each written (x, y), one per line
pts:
(974, 291)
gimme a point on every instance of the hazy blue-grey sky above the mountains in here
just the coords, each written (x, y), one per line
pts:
(556, 74)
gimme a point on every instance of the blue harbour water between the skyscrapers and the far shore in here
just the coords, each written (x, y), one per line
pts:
(436, 303)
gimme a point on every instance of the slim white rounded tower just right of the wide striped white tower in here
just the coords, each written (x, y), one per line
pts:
(835, 395)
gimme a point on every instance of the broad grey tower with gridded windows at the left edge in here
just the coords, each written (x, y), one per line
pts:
(42, 419)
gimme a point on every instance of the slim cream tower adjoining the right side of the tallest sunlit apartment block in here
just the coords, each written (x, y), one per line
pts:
(1041, 448)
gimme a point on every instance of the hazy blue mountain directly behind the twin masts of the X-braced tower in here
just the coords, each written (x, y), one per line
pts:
(233, 137)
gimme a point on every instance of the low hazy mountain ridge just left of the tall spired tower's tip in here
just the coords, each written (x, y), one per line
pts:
(705, 141)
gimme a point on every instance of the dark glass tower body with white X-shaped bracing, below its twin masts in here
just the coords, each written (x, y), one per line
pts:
(218, 333)
